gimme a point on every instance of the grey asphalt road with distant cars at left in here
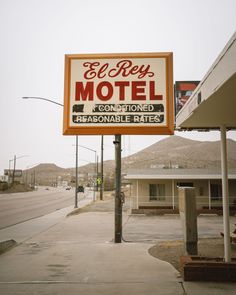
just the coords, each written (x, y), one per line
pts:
(19, 207)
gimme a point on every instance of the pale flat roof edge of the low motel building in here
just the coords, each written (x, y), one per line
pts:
(177, 174)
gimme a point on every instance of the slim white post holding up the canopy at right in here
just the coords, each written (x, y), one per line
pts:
(225, 194)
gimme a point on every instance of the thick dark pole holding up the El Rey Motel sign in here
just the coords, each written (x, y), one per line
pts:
(118, 203)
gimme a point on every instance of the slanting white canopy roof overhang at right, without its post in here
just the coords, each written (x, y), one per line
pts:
(213, 103)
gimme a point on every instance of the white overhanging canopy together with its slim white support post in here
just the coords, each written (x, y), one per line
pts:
(213, 105)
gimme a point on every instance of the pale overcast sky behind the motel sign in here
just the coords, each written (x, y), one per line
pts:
(36, 34)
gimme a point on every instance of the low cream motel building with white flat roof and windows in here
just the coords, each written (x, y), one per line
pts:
(156, 190)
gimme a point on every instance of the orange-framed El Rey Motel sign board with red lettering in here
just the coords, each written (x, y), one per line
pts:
(119, 94)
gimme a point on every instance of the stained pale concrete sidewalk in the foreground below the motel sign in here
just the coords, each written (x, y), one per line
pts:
(77, 256)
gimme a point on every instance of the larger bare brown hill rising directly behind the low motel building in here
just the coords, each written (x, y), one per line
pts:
(176, 151)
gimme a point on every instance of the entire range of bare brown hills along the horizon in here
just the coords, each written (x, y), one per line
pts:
(172, 152)
